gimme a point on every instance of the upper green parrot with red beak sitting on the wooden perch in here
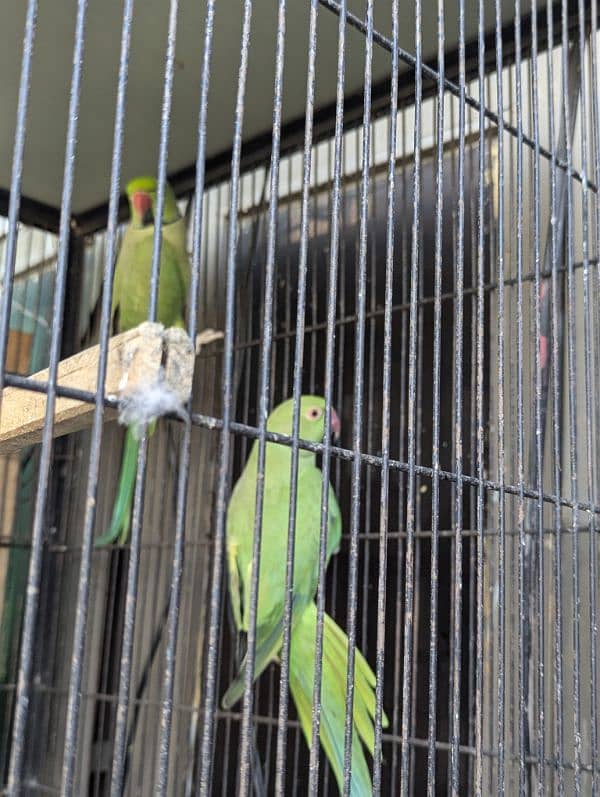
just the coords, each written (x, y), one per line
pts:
(131, 297)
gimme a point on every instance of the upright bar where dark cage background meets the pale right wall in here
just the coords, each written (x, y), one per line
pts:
(480, 456)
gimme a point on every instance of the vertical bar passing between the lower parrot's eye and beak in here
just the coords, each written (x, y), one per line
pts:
(329, 362)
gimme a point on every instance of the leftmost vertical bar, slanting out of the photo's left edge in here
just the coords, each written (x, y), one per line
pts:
(15, 185)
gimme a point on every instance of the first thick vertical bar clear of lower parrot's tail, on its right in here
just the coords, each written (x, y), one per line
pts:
(411, 415)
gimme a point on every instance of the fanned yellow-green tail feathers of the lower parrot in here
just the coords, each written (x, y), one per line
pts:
(333, 697)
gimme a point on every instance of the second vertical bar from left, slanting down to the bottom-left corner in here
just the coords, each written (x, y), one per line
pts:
(34, 576)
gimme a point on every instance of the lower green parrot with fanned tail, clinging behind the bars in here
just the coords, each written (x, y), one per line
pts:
(271, 590)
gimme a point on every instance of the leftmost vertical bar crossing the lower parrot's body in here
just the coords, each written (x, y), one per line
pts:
(263, 411)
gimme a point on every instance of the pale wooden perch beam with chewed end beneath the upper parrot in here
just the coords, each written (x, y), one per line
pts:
(136, 358)
